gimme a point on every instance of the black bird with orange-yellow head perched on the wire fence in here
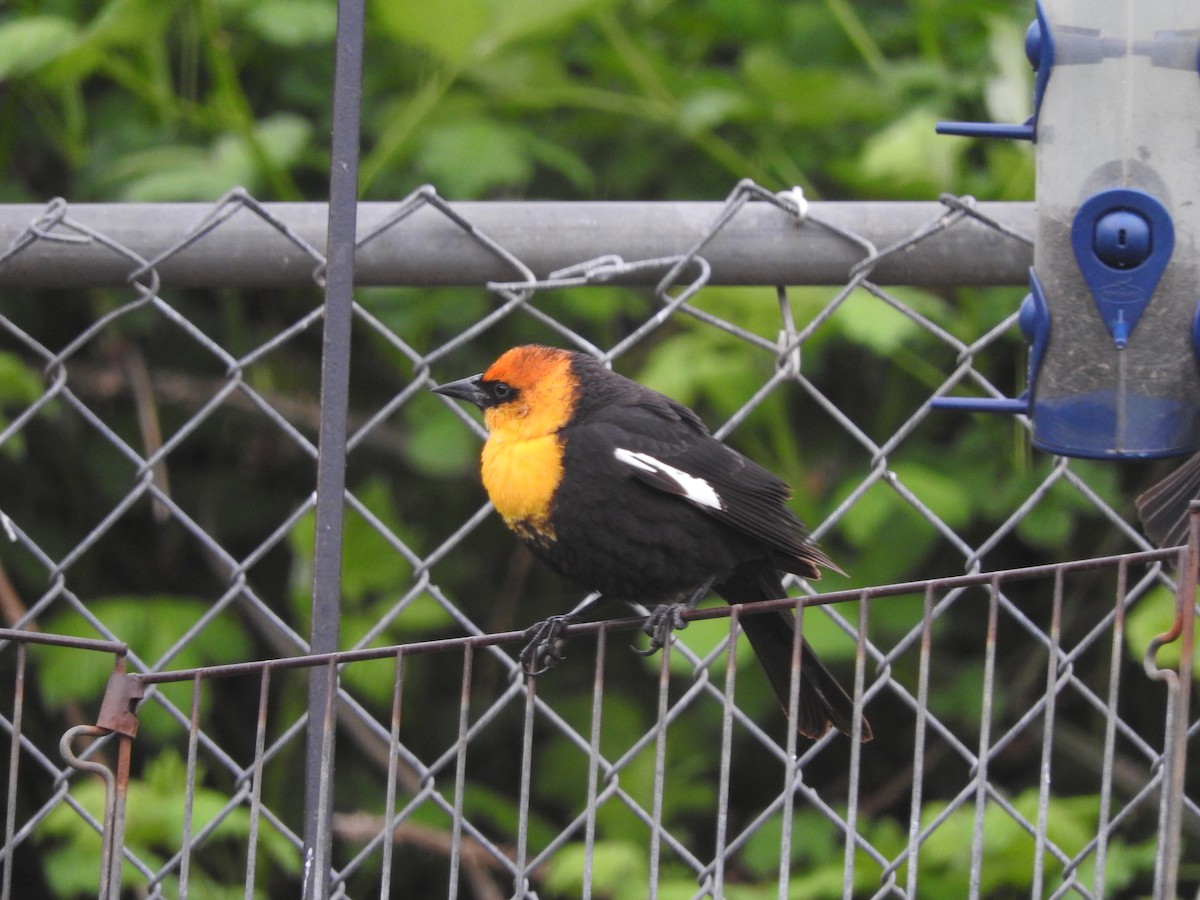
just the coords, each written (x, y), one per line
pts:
(625, 491)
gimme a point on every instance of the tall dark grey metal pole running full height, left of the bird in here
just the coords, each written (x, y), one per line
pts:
(344, 187)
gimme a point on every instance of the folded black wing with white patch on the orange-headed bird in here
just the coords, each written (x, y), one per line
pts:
(667, 447)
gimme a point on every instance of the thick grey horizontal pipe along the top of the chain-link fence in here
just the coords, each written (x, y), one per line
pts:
(261, 245)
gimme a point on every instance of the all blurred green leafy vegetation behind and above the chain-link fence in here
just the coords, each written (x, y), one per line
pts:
(161, 100)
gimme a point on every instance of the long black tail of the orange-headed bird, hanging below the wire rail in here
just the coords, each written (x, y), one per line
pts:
(823, 700)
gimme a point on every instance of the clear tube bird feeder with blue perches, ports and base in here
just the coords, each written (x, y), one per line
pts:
(1112, 319)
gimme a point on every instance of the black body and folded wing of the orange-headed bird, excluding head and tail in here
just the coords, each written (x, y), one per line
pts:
(633, 537)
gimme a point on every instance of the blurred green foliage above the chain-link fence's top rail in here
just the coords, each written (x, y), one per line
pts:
(485, 98)
